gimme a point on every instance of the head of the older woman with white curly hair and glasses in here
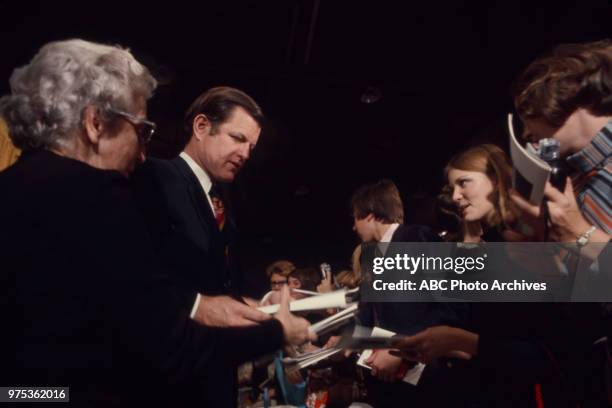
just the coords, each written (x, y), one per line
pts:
(82, 100)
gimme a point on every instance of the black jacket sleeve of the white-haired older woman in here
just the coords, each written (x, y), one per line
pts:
(145, 310)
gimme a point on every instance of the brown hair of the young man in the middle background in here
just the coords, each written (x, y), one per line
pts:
(382, 199)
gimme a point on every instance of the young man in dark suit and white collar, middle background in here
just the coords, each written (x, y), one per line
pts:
(379, 215)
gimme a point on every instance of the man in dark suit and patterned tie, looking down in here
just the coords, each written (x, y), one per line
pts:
(185, 209)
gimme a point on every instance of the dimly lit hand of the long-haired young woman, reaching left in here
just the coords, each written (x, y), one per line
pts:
(438, 341)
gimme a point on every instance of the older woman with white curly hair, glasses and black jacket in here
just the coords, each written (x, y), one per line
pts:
(83, 301)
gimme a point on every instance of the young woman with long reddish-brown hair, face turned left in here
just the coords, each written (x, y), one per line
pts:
(515, 336)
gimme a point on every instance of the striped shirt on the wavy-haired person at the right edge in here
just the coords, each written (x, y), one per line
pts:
(593, 180)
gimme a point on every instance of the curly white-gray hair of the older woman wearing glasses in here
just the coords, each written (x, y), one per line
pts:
(48, 96)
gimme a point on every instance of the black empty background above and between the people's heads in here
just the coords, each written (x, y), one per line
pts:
(444, 70)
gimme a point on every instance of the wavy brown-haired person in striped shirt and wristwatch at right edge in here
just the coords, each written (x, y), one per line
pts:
(566, 95)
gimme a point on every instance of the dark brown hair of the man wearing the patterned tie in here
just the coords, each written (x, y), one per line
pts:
(218, 103)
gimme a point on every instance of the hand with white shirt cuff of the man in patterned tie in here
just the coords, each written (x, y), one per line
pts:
(223, 311)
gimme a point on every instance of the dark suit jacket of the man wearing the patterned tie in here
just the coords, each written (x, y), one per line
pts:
(189, 243)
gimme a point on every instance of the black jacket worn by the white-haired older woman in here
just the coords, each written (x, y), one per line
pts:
(83, 300)
